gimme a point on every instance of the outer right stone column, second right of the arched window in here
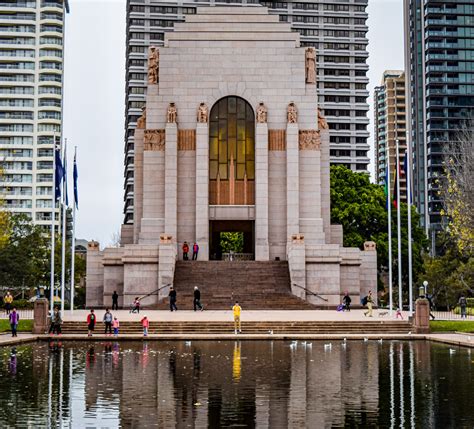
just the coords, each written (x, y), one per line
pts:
(292, 181)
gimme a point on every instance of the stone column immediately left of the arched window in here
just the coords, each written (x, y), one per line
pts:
(202, 190)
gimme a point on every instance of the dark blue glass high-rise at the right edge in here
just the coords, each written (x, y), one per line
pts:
(439, 59)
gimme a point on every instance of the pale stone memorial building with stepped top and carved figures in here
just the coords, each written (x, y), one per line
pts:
(231, 140)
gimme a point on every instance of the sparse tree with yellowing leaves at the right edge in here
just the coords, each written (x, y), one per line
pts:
(457, 189)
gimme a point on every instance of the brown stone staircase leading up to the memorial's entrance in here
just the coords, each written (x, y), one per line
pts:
(256, 285)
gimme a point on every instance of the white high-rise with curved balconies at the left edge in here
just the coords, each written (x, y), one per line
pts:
(31, 84)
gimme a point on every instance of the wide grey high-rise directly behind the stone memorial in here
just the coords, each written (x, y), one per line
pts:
(337, 29)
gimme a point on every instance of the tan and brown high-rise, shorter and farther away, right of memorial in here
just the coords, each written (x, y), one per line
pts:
(390, 126)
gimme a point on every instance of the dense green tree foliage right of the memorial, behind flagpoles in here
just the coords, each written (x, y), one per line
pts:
(360, 207)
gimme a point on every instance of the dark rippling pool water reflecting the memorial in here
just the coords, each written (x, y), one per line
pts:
(264, 384)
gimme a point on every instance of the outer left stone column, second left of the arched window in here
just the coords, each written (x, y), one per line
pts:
(171, 180)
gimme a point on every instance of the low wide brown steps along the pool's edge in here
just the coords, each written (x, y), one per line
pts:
(260, 327)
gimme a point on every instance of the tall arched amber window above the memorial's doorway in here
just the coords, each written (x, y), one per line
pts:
(232, 153)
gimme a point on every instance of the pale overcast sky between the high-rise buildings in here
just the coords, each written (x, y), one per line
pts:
(94, 100)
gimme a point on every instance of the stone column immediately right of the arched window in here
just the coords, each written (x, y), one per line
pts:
(261, 193)
